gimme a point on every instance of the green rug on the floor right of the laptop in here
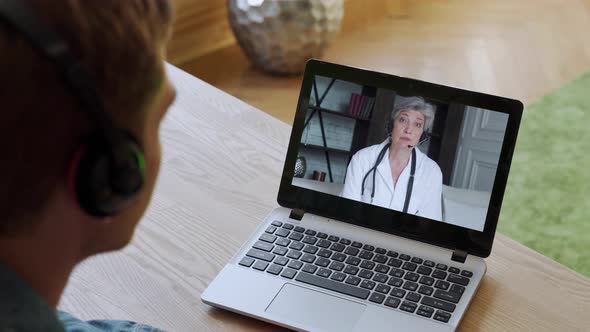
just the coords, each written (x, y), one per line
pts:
(547, 202)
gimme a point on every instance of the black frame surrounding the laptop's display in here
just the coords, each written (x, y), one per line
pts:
(386, 220)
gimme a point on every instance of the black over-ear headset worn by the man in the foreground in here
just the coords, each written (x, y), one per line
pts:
(111, 169)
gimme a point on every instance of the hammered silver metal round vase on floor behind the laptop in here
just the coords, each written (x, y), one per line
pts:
(279, 36)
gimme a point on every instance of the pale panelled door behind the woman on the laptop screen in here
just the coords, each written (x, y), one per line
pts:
(478, 149)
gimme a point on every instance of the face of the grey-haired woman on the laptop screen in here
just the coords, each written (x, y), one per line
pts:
(408, 126)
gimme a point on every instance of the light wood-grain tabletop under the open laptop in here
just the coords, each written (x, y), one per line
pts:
(221, 166)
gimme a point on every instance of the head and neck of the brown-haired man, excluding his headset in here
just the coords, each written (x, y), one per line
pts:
(121, 44)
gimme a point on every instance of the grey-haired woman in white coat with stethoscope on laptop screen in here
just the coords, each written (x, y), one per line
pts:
(382, 174)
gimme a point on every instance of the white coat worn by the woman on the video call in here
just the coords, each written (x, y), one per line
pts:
(427, 189)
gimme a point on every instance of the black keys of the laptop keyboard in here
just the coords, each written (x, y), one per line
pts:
(384, 277)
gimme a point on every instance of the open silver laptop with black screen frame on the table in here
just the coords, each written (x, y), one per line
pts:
(352, 245)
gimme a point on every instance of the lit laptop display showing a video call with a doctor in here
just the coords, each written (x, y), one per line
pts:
(404, 152)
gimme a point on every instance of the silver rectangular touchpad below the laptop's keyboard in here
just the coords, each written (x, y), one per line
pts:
(315, 309)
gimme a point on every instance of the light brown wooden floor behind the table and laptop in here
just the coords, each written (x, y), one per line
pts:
(519, 49)
